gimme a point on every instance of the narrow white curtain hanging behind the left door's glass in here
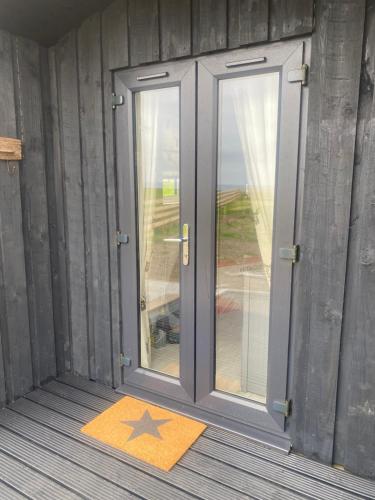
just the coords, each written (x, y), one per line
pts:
(147, 117)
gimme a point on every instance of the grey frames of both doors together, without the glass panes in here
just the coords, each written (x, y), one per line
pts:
(194, 394)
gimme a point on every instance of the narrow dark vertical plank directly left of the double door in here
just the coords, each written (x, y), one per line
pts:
(112, 210)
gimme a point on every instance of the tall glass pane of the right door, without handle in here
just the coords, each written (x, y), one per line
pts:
(248, 109)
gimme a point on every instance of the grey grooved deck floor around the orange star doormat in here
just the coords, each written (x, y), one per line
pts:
(43, 455)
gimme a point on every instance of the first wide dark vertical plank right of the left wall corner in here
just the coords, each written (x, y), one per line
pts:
(73, 209)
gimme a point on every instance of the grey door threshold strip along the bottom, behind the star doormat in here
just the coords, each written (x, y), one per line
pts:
(280, 441)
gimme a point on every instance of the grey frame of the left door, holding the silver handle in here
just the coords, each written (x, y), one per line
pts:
(126, 83)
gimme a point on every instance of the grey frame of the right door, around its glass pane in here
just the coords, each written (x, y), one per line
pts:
(283, 58)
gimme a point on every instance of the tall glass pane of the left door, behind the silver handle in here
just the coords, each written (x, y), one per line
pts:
(158, 165)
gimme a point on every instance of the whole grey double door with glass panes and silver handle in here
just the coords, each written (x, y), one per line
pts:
(207, 156)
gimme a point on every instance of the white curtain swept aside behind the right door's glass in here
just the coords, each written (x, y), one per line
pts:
(255, 102)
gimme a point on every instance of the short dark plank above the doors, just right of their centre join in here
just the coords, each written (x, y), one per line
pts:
(209, 25)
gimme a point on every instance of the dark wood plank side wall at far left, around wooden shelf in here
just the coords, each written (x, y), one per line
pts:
(27, 353)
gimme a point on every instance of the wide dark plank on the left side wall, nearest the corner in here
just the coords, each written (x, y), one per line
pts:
(34, 208)
